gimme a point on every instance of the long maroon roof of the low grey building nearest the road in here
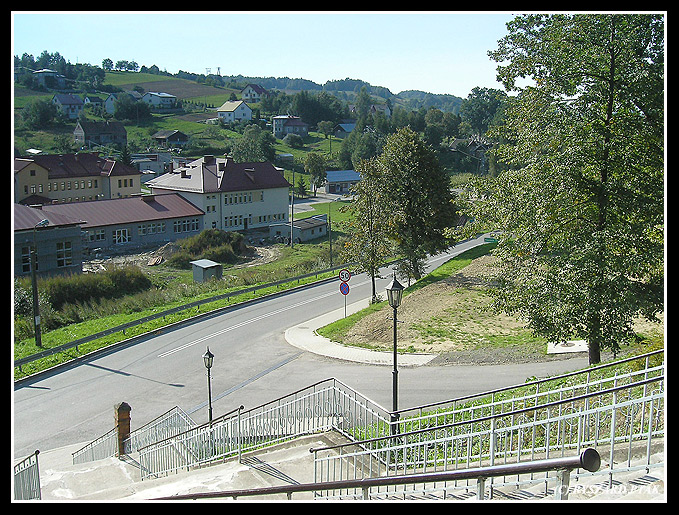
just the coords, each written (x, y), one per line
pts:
(141, 208)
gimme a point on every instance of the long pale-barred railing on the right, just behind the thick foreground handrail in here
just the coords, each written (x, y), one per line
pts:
(623, 418)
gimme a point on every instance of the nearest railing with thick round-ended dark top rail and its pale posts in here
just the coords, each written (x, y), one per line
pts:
(588, 460)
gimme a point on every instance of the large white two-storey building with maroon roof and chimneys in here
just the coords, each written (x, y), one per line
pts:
(234, 196)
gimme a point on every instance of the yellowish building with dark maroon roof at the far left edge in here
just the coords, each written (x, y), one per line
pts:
(49, 178)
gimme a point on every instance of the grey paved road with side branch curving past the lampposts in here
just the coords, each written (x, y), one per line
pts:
(253, 364)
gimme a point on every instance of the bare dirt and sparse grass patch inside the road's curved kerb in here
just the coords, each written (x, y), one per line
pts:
(451, 318)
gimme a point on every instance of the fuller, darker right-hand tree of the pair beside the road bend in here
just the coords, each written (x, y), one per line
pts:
(417, 198)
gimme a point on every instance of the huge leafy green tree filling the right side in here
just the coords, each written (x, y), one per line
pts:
(581, 208)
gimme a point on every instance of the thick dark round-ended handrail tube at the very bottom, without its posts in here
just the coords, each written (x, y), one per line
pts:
(589, 460)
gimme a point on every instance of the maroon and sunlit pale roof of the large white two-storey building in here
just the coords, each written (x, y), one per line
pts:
(217, 174)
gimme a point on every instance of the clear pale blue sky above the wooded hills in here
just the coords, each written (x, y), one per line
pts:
(438, 52)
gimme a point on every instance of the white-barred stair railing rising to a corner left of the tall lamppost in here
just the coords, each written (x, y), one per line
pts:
(320, 407)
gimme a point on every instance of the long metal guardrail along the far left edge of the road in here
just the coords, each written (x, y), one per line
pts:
(123, 327)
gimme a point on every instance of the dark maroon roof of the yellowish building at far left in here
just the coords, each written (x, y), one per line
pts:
(69, 166)
